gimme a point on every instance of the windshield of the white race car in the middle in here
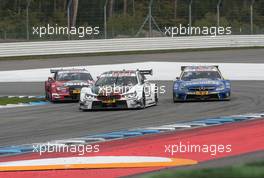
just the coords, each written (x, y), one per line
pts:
(119, 81)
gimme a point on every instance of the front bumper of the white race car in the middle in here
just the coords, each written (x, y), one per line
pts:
(118, 104)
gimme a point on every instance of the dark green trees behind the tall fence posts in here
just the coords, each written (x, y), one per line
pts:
(124, 17)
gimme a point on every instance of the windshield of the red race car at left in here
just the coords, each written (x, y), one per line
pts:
(73, 76)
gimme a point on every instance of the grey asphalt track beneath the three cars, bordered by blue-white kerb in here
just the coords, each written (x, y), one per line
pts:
(64, 120)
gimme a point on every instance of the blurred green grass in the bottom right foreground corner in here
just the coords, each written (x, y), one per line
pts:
(251, 170)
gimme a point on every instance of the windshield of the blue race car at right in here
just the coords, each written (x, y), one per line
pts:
(192, 75)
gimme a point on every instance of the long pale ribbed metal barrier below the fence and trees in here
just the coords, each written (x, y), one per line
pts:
(128, 44)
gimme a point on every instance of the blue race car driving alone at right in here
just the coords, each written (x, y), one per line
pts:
(201, 83)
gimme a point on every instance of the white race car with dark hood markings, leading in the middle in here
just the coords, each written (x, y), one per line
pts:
(120, 90)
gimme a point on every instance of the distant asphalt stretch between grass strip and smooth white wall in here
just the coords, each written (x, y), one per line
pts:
(227, 56)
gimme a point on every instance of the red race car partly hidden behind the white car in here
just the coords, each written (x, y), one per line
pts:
(66, 84)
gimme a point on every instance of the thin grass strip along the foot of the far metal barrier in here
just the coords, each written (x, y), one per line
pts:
(120, 53)
